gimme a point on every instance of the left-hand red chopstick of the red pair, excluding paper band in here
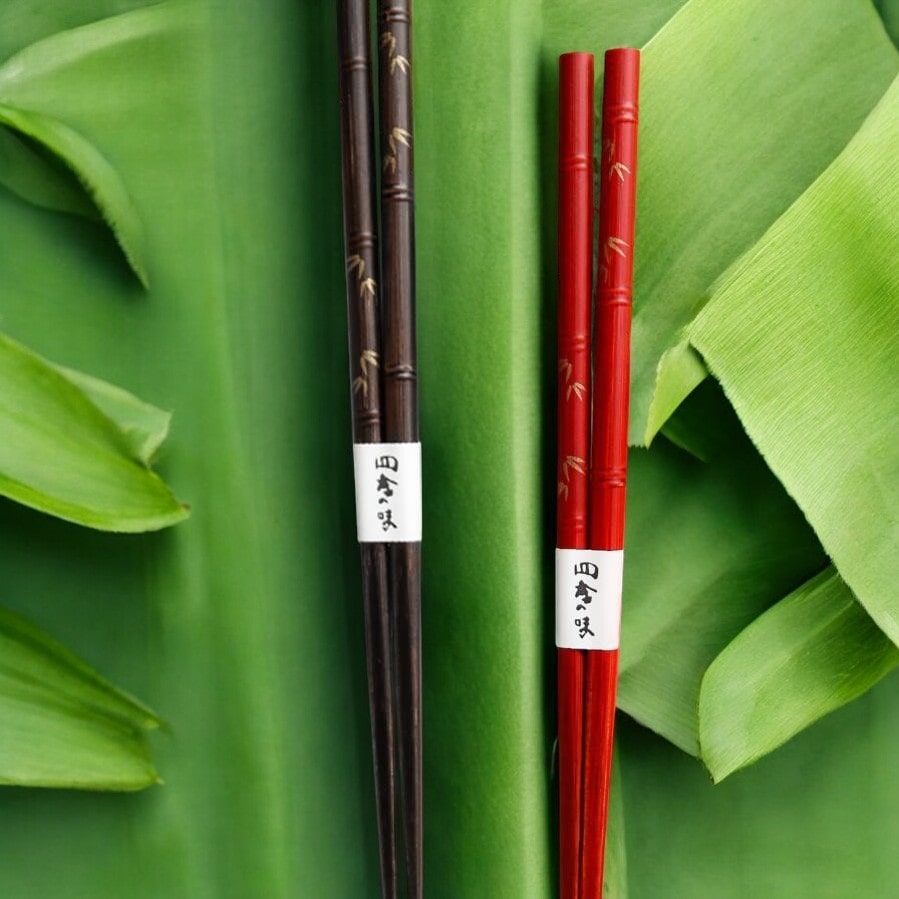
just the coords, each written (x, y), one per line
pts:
(575, 287)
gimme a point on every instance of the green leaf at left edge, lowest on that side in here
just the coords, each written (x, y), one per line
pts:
(63, 725)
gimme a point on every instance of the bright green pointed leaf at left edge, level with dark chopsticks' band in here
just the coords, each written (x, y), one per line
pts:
(61, 455)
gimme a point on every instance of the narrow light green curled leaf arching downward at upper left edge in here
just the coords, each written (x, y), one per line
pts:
(95, 172)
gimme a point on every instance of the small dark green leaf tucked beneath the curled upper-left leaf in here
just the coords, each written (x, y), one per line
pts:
(27, 173)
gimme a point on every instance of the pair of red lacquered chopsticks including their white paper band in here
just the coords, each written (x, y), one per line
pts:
(592, 474)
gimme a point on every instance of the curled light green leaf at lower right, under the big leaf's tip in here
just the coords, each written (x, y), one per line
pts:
(813, 652)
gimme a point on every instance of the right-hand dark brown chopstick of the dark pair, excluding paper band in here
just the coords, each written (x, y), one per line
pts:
(401, 399)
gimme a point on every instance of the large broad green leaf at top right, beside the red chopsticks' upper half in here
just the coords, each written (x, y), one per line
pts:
(721, 155)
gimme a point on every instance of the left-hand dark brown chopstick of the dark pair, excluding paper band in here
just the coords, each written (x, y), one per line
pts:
(363, 331)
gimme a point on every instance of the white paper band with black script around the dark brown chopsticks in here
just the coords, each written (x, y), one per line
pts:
(388, 492)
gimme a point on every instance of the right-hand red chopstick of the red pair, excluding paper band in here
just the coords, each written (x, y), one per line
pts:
(608, 471)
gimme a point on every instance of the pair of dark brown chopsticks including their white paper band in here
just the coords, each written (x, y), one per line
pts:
(383, 374)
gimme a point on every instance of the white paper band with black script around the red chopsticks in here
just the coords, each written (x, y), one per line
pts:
(588, 598)
